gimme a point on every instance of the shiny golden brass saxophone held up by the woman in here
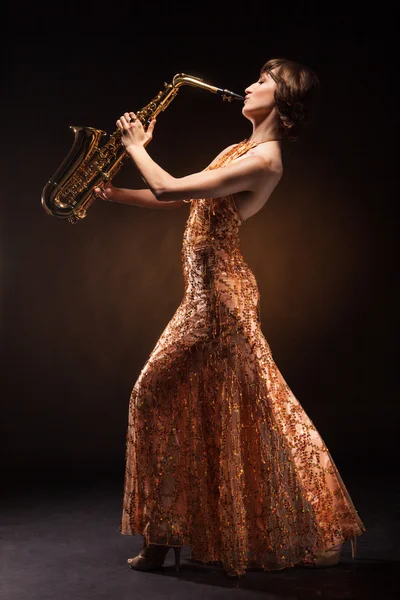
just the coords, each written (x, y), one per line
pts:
(70, 192)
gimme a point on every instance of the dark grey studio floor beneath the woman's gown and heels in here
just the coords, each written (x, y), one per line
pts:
(60, 540)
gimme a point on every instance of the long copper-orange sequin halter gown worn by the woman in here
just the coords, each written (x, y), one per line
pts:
(220, 455)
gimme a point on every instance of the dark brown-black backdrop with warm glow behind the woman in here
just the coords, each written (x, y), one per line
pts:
(83, 305)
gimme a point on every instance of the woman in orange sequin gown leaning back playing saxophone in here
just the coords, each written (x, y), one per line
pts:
(220, 455)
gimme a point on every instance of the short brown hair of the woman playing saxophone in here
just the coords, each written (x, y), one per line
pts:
(295, 95)
